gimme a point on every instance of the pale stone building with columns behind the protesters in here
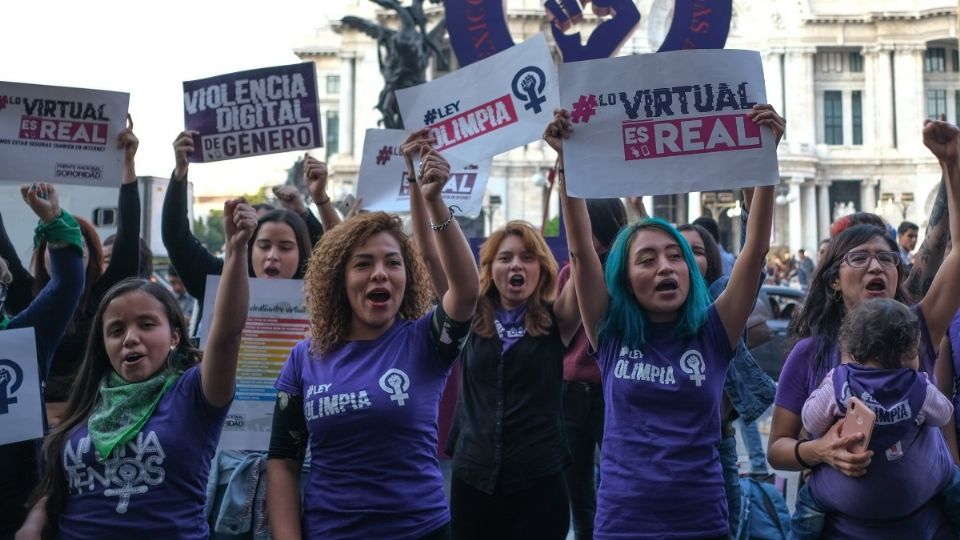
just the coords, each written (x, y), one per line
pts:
(855, 79)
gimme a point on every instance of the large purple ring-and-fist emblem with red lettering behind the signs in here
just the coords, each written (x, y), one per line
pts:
(478, 28)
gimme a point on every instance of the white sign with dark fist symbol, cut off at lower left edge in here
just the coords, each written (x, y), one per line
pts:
(21, 411)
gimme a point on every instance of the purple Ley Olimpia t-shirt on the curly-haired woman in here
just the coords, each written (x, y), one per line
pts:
(371, 410)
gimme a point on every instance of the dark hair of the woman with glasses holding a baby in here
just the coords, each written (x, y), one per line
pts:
(823, 310)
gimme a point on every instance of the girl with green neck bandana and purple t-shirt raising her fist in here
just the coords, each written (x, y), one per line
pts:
(132, 455)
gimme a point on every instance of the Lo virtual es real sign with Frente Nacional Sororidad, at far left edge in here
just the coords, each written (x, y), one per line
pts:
(61, 135)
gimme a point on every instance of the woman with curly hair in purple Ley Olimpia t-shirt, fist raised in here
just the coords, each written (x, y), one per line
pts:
(364, 388)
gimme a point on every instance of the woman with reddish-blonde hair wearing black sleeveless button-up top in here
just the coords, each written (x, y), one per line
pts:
(509, 449)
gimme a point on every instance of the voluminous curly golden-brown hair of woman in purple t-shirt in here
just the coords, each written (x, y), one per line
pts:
(325, 281)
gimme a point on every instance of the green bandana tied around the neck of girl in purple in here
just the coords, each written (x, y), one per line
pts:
(124, 408)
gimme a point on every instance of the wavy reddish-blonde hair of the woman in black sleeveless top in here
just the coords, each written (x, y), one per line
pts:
(537, 319)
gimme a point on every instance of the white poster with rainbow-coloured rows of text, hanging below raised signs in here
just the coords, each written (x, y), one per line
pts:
(276, 321)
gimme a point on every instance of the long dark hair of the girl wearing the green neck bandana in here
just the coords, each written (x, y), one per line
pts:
(85, 391)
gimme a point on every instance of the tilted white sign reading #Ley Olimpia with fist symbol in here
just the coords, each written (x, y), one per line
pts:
(488, 107)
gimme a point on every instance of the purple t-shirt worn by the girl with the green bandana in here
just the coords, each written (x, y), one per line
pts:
(155, 485)
